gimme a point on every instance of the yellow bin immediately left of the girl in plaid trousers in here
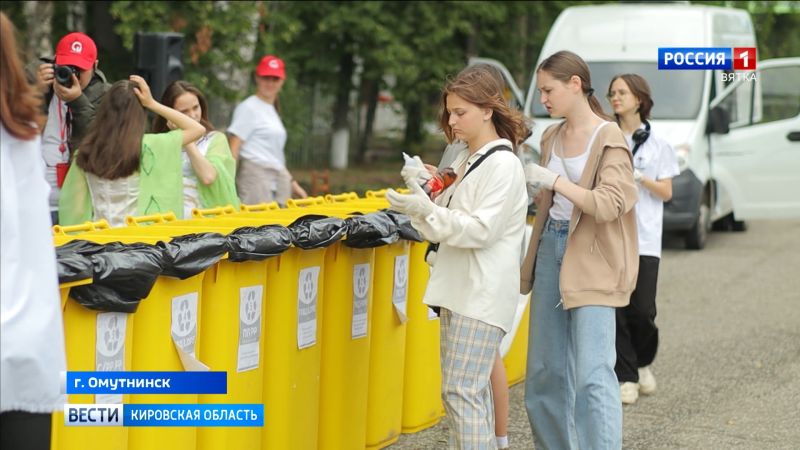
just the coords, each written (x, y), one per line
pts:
(422, 388)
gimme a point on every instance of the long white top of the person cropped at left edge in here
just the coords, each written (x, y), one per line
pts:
(32, 338)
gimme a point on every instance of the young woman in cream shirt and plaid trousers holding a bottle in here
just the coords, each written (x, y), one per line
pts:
(479, 224)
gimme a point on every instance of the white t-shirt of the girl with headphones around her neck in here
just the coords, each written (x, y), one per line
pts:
(656, 160)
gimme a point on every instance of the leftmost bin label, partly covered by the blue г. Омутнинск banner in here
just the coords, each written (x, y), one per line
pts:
(110, 349)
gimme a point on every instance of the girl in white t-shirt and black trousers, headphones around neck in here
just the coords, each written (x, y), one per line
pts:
(655, 164)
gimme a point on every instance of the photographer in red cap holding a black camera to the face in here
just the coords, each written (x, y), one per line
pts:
(73, 88)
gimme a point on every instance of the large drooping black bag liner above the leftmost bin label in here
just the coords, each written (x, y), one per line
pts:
(123, 274)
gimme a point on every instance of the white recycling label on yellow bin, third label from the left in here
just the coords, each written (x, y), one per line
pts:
(249, 327)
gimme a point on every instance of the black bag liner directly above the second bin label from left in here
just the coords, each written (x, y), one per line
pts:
(186, 256)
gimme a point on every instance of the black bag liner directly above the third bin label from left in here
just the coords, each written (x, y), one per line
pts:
(258, 243)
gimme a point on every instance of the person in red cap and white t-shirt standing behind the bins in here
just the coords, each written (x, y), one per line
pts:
(257, 139)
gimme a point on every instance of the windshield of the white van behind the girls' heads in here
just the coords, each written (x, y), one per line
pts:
(676, 93)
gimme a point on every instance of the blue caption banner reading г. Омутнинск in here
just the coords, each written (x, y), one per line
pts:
(146, 383)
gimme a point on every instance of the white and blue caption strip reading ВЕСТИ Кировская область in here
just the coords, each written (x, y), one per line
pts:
(164, 415)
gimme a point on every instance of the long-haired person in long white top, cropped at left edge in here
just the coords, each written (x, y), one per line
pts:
(32, 354)
